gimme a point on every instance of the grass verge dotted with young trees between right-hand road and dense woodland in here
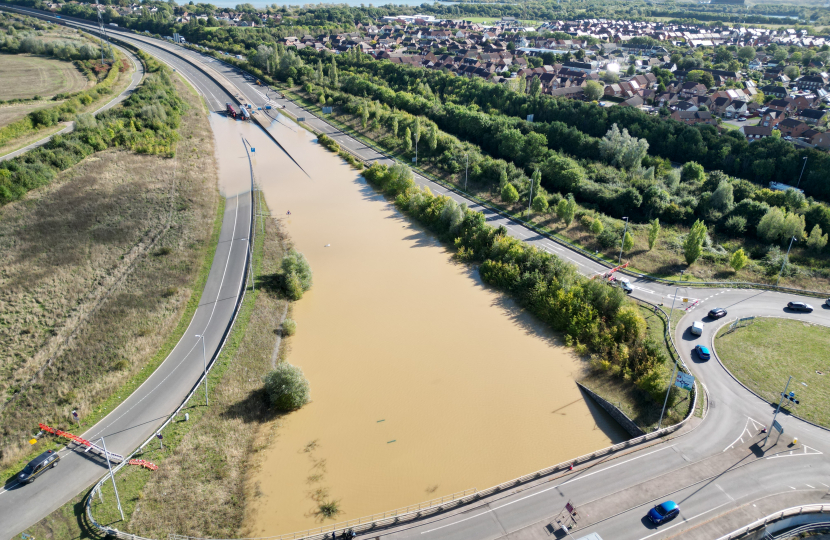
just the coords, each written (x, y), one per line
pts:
(665, 260)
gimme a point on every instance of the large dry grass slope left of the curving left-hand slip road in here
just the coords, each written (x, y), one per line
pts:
(101, 272)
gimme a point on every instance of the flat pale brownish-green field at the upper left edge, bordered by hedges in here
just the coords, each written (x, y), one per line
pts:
(26, 76)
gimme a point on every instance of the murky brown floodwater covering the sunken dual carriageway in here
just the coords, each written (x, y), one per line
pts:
(424, 381)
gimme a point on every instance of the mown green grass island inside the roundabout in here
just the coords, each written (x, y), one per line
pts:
(766, 353)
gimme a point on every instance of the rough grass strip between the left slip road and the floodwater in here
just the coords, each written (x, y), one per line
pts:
(206, 460)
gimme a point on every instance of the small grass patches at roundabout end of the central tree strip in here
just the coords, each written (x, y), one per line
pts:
(638, 405)
